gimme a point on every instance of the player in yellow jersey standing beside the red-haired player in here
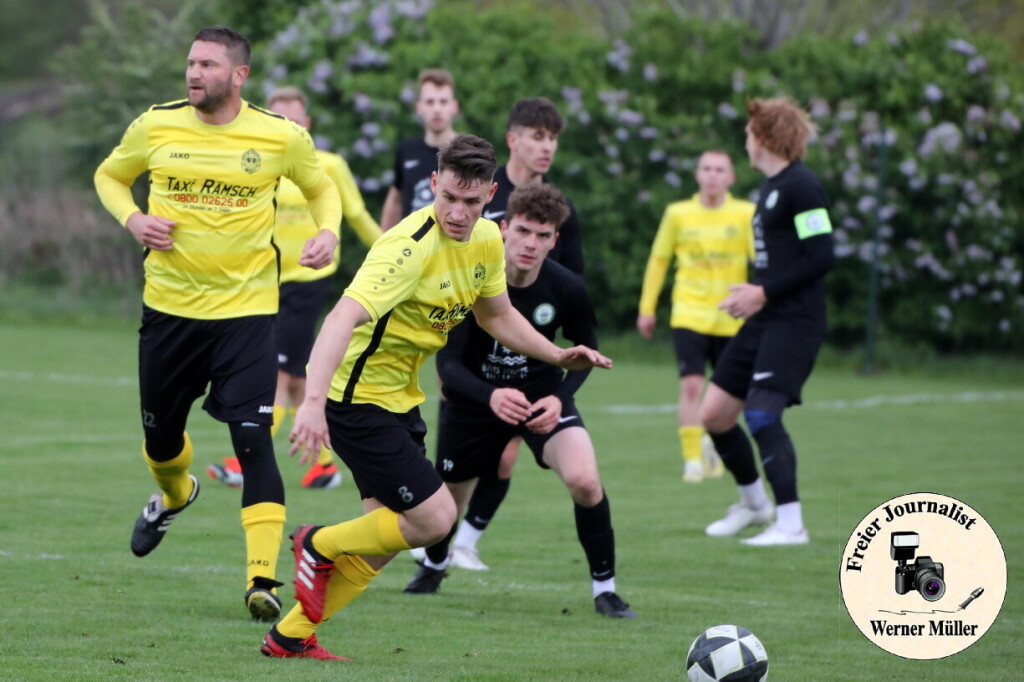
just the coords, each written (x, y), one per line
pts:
(710, 238)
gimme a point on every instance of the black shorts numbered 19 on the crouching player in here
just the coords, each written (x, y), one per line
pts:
(472, 440)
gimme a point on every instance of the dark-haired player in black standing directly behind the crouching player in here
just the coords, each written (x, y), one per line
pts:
(532, 135)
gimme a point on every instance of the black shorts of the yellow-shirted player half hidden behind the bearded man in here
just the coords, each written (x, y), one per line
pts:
(302, 306)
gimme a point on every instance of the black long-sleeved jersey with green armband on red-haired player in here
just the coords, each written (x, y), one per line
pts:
(793, 244)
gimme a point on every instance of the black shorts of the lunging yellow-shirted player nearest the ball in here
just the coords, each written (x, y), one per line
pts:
(386, 452)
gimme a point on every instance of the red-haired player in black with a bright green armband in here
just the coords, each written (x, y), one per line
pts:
(765, 366)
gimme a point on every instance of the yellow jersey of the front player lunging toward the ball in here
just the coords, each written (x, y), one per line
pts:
(417, 284)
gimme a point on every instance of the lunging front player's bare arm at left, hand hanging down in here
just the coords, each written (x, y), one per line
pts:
(310, 433)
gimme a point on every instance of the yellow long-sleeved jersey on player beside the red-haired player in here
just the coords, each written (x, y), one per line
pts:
(712, 248)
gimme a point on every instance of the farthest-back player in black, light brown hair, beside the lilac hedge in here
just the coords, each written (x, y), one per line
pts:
(417, 157)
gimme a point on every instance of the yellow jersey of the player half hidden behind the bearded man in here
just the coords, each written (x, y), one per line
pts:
(295, 226)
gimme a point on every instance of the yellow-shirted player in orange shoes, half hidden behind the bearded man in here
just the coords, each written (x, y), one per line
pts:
(304, 291)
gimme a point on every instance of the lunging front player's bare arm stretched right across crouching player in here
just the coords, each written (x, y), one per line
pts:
(499, 319)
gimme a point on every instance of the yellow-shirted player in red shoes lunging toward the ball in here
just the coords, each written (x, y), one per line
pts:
(419, 281)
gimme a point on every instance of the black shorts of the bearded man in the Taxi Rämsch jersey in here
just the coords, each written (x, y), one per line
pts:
(179, 357)
